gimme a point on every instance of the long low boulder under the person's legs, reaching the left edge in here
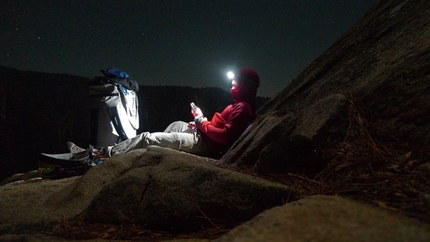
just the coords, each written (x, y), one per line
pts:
(159, 187)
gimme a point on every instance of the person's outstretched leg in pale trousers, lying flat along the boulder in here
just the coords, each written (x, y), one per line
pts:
(188, 142)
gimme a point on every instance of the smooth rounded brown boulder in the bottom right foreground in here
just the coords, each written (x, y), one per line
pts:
(328, 218)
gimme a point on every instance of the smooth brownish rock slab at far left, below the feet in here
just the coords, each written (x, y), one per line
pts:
(36, 201)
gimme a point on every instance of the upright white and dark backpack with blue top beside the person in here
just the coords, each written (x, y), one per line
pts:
(114, 115)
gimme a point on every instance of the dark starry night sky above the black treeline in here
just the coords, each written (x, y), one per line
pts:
(176, 42)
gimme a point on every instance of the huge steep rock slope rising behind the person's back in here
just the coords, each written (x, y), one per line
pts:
(376, 73)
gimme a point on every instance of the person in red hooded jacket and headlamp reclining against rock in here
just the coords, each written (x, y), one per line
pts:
(202, 136)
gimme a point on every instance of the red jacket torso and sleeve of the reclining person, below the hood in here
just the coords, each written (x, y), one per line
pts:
(226, 127)
